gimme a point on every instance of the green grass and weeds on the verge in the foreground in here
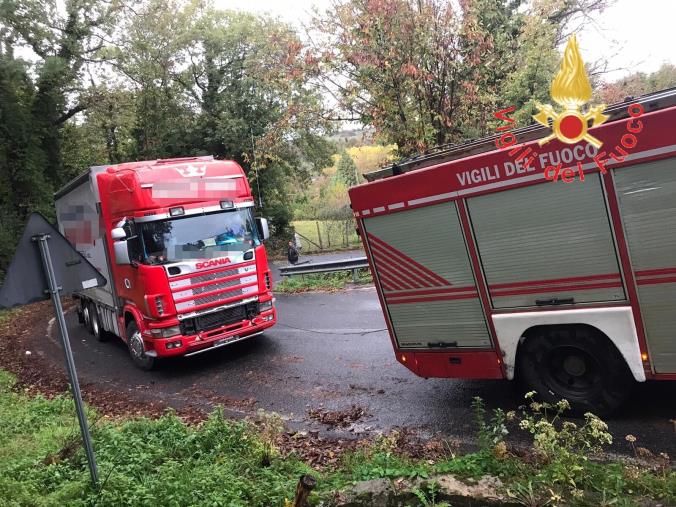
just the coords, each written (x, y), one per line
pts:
(166, 461)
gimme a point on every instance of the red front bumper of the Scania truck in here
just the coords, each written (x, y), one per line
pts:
(181, 345)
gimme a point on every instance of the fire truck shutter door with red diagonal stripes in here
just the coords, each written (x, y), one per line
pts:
(424, 271)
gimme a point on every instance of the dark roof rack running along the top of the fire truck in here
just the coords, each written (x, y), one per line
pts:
(446, 153)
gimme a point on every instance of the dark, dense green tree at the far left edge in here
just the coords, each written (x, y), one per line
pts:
(39, 97)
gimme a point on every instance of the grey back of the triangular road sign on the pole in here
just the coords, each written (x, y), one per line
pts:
(26, 282)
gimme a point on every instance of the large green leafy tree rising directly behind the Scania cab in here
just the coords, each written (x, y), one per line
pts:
(227, 84)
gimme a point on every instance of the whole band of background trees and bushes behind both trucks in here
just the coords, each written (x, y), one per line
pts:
(100, 82)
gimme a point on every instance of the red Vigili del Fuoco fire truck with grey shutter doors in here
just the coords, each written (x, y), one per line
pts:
(490, 268)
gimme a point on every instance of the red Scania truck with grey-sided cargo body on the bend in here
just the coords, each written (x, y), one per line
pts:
(183, 255)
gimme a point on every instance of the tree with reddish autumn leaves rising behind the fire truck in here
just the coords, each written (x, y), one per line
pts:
(431, 72)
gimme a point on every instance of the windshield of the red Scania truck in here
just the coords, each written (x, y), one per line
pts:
(197, 237)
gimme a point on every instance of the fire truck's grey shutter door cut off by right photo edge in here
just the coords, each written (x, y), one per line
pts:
(647, 197)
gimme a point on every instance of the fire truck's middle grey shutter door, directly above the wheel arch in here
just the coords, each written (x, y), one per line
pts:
(547, 244)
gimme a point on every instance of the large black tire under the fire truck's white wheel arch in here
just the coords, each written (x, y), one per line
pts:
(577, 363)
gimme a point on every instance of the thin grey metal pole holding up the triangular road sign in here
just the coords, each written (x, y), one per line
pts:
(65, 342)
